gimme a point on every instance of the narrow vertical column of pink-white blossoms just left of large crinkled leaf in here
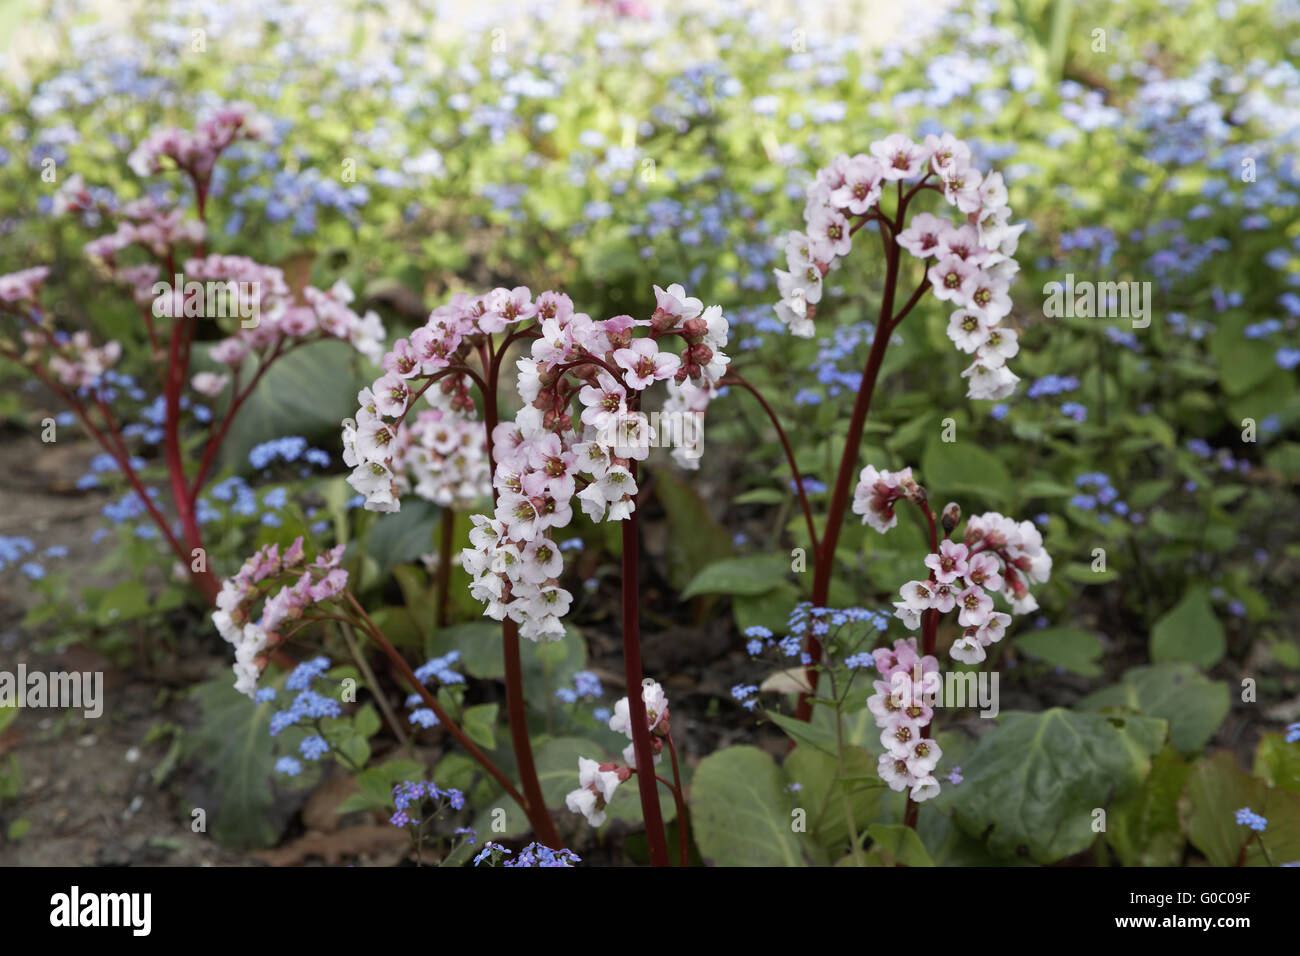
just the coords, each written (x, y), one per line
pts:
(903, 711)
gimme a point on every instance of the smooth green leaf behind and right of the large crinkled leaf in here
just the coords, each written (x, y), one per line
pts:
(1194, 706)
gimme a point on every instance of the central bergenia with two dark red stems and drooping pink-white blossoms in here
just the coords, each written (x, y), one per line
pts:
(580, 434)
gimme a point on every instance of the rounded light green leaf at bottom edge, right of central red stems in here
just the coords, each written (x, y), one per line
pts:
(742, 816)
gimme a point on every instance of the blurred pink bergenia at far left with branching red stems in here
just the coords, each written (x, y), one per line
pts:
(158, 253)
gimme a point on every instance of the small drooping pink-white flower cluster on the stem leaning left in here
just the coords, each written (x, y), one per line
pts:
(253, 634)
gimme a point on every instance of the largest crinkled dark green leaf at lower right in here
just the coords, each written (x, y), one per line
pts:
(1034, 782)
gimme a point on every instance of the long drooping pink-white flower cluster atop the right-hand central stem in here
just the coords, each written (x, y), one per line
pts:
(579, 435)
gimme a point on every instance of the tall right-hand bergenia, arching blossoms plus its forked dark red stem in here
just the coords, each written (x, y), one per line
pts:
(967, 261)
